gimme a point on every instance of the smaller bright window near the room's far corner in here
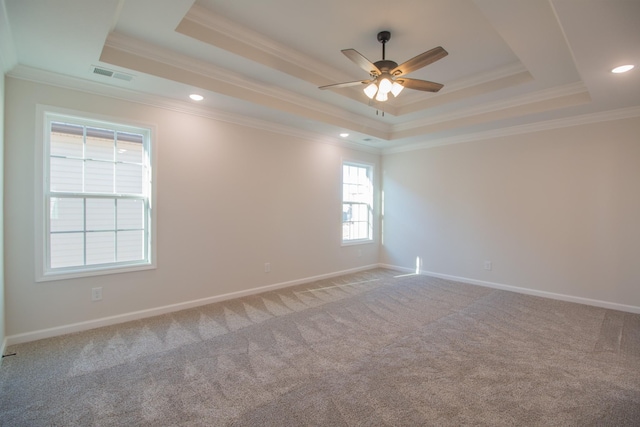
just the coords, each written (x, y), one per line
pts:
(357, 203)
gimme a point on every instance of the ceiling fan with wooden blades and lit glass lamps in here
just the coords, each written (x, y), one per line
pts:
(387, 76)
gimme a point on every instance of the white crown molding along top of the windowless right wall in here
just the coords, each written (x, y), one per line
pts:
(584, 119)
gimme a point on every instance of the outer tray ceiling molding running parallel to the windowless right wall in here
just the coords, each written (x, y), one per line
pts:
(489, 107)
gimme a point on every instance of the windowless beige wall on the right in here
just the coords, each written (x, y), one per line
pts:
(555, 211)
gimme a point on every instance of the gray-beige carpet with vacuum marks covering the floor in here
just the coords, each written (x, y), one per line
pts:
(369, 349)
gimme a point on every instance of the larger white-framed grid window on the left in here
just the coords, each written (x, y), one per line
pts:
(97, 196)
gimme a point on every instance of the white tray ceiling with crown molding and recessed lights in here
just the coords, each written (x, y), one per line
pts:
(512, 65)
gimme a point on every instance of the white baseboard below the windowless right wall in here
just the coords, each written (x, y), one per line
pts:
(528, 291)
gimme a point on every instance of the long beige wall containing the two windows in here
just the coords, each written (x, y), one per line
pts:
(230, 198)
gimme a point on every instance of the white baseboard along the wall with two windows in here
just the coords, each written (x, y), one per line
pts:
(136, 315)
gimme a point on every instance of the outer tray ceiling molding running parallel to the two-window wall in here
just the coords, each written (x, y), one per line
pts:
(145, 50)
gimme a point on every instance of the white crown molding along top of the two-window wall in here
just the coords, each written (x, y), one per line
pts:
(23, 72)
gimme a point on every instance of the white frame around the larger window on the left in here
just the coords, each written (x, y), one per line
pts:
(45, 116)
